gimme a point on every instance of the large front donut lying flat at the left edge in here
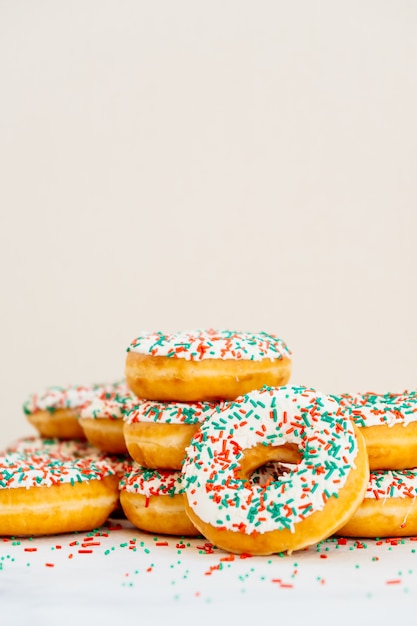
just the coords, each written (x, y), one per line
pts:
(42, 494)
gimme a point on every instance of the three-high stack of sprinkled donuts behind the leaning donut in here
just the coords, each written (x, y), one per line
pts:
(182, 381)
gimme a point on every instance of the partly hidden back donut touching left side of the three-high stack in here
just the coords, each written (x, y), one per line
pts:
(102, 419)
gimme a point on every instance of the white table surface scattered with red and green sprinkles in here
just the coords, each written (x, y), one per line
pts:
(118, 574)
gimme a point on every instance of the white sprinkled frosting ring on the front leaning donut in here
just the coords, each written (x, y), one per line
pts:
(297, 415)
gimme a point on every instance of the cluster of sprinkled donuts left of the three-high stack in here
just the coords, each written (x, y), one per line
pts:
(67, 478)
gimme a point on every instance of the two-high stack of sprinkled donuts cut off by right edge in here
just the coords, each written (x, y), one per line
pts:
(389, 426)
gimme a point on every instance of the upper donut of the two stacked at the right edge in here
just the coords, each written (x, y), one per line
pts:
(388, 423)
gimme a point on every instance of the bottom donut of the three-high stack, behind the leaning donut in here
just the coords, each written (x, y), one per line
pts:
(153, 500)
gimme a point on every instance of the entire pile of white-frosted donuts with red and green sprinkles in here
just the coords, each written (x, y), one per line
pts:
(205, 436)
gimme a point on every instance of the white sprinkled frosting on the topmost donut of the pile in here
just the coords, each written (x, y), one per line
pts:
(211, 344)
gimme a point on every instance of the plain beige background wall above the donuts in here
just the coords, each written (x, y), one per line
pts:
(174, 165)
